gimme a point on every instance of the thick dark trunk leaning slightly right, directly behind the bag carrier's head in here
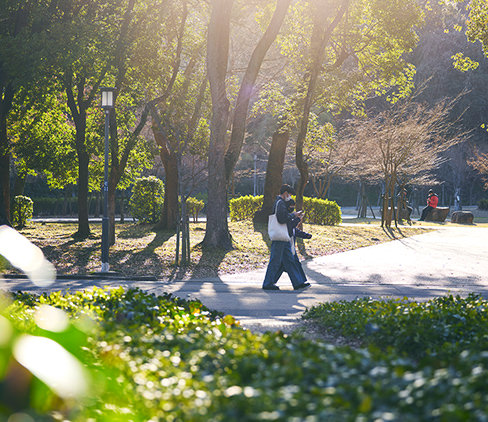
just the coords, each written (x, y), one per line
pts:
(274, 174)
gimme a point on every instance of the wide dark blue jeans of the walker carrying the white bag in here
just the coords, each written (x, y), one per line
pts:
(282, 259)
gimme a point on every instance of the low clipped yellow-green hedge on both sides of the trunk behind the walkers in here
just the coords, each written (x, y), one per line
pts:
(317, 211)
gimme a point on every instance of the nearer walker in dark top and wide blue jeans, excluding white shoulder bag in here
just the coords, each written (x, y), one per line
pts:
(281, 257)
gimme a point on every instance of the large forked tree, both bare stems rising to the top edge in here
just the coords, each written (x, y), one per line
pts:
(222, 158)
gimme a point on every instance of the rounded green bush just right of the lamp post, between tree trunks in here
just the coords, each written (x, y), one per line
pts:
(146, 202)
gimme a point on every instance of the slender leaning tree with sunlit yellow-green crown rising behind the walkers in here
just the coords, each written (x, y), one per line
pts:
(339, 54)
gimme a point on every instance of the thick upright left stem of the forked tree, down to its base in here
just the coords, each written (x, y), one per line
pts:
(217, 229)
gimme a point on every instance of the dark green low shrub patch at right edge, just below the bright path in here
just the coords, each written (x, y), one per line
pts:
(438, 329)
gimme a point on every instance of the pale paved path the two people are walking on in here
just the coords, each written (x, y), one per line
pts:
(450, 260)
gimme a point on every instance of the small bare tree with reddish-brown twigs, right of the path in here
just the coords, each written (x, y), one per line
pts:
(403, 145)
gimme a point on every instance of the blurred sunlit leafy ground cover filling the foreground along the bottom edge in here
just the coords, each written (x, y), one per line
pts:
(165, 359)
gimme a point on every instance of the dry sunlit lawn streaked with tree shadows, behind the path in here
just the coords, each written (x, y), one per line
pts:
(141, 251)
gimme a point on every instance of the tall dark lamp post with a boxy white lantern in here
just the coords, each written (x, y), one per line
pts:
(107, 105)
